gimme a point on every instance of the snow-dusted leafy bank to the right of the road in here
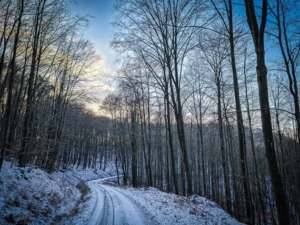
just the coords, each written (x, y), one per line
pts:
(165, 208)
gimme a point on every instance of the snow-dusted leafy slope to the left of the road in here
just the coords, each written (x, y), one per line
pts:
(32, 196)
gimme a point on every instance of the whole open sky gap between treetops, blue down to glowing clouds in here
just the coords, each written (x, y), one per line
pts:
(99, 33)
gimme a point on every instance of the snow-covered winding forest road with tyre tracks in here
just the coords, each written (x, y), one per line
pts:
(112, 207)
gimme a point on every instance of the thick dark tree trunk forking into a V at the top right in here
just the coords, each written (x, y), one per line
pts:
(257, 32)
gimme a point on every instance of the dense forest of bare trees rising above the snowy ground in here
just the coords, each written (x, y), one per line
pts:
(207, 100)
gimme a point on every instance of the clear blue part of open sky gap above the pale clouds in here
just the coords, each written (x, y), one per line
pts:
(100, 29)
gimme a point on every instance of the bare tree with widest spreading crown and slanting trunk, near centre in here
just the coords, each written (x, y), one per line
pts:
(162, 33)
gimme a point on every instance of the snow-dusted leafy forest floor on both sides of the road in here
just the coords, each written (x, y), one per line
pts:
(31, 196)
